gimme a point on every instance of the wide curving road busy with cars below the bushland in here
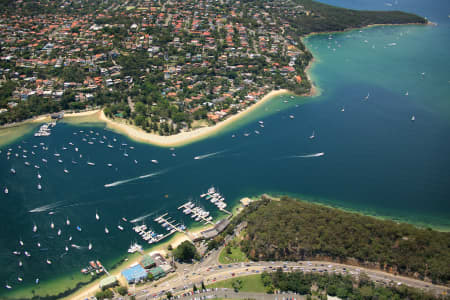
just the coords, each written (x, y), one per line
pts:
(210, 271)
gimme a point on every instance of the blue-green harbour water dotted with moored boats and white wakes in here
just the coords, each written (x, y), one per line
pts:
(375, 159)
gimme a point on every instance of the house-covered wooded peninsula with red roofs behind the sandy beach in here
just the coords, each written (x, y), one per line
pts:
(165, 67)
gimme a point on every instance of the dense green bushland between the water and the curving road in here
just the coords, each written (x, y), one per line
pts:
(295, 230)
